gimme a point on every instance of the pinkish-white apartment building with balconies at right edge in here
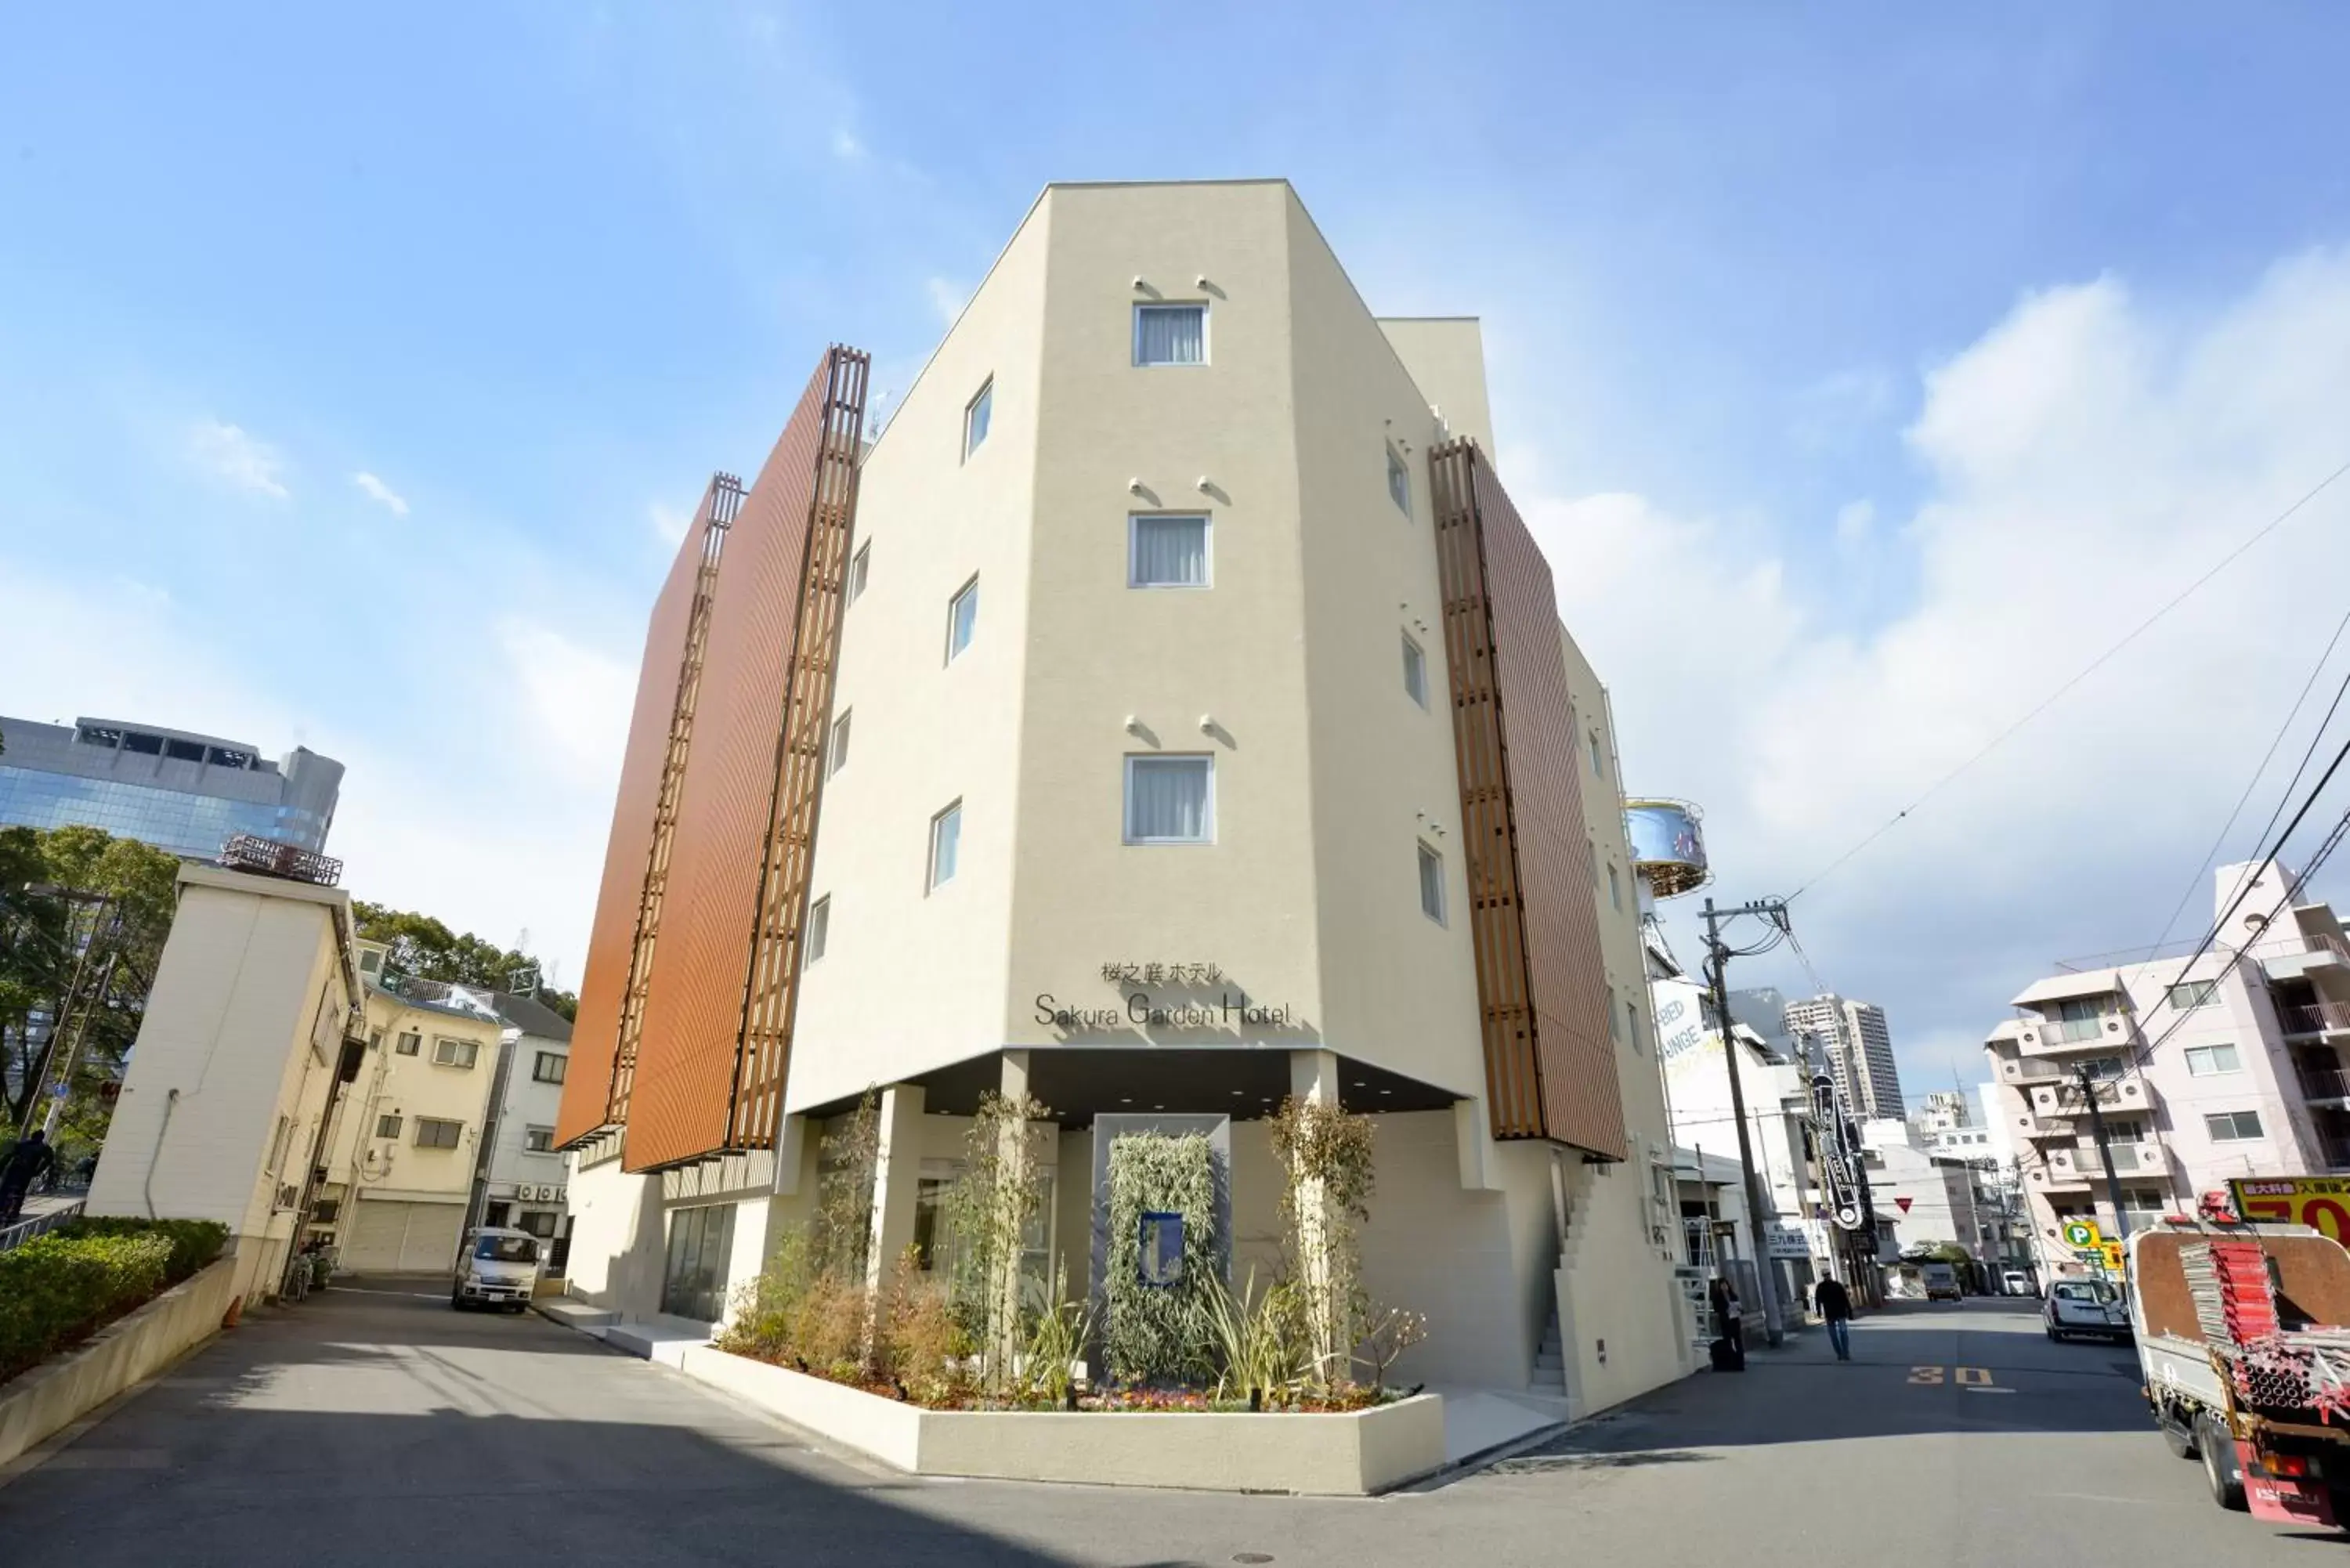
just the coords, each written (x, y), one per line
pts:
(2205, 1071)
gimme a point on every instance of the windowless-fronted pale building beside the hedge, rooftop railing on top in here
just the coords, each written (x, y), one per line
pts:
(253, 1017)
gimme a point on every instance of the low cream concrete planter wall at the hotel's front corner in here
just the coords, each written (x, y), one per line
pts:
(1336, 1456)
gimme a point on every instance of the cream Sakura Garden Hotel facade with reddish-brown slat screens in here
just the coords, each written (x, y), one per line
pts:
(1164, 716)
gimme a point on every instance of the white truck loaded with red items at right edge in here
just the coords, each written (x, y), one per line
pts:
(2245, 1346)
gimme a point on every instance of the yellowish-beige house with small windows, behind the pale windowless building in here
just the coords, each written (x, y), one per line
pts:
(403, 1160)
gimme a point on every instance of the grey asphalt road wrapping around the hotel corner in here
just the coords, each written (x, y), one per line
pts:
(382, 1428)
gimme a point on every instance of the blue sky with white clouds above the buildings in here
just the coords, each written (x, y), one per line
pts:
(1759, 286)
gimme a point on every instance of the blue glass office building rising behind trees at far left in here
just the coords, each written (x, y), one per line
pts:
(170, 789)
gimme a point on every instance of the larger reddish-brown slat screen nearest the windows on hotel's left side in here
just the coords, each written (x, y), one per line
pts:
(763, 685)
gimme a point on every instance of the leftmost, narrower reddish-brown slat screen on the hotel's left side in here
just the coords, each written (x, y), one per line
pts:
(619, 942)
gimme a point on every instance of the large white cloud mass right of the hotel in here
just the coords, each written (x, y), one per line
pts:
(2086, 460)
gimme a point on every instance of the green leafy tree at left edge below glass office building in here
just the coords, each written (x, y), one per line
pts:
(83, 918)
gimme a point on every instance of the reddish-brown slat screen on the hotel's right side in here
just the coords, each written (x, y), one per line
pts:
(1533, 918)
